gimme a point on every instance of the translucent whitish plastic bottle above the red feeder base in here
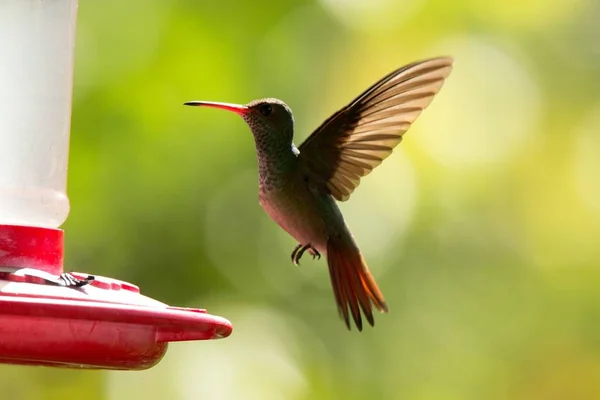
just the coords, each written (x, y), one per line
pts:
(37, 39)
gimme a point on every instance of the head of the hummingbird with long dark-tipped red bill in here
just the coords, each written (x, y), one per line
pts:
(269, 119)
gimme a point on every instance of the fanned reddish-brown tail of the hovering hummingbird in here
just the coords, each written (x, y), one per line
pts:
(353, 284)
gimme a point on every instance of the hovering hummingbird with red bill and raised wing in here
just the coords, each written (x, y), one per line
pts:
(299, 186)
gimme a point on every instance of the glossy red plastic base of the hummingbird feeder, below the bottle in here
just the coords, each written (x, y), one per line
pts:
(105, 324)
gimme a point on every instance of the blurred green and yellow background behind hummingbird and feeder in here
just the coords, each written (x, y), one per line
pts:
(482, 229)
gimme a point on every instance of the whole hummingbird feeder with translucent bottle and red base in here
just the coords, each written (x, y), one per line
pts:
(48, 317)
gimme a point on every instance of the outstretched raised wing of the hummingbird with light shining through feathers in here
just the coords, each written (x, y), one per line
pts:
(361, 135)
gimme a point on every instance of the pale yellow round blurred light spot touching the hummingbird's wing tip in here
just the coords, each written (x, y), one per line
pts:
(491, 99)
